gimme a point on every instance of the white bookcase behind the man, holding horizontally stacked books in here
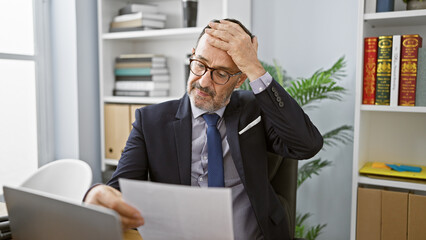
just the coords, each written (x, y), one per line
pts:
(175, 42)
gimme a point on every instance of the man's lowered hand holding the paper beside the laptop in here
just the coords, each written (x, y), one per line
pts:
(110, 197)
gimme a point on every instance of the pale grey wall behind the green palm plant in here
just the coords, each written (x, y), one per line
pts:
(304, 36)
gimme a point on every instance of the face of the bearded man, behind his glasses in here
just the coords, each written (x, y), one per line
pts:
(206, 94)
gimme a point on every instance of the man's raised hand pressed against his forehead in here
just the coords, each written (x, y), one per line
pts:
(230, 37)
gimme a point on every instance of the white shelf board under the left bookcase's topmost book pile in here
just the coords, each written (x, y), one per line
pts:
(170, 33)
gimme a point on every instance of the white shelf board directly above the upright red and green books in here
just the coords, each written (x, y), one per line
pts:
(399, 18)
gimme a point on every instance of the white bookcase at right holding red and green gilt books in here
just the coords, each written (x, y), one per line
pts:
(384, 133)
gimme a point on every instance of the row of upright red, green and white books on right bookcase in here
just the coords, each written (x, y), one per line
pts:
(394, 71)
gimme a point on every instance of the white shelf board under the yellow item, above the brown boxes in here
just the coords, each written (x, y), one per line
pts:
(392, 183)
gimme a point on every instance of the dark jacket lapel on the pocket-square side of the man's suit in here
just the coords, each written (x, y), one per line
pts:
(232, 116)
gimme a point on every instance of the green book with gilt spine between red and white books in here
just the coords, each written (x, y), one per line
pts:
(384, 60)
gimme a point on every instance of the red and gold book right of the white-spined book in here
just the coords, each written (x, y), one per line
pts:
(409, 56)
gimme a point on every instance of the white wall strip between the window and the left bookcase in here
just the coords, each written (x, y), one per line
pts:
(75, 82)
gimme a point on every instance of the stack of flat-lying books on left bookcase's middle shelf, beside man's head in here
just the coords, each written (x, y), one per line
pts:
(141, 75)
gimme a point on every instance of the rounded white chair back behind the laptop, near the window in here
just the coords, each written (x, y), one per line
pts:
(69, 178)
